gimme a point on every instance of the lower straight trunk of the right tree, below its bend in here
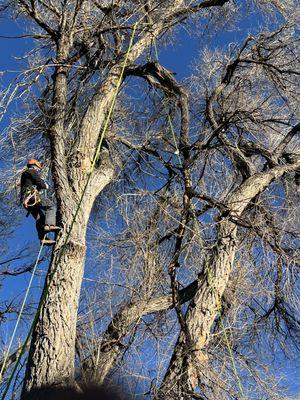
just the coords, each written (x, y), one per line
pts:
(182, 375)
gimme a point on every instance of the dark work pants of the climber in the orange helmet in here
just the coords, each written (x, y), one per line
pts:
(45, 214)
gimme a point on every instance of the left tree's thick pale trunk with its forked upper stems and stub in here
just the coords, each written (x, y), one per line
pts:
(51, 356)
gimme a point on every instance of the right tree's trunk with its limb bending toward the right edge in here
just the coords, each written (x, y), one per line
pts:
(183, 375)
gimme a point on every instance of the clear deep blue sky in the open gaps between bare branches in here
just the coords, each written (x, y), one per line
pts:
(177, 58)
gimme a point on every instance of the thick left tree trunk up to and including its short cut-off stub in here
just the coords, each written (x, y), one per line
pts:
(52, 351)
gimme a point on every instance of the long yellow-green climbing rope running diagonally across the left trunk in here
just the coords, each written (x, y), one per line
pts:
(96, 156)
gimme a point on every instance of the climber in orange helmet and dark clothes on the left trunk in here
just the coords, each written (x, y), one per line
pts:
(36, 203)
